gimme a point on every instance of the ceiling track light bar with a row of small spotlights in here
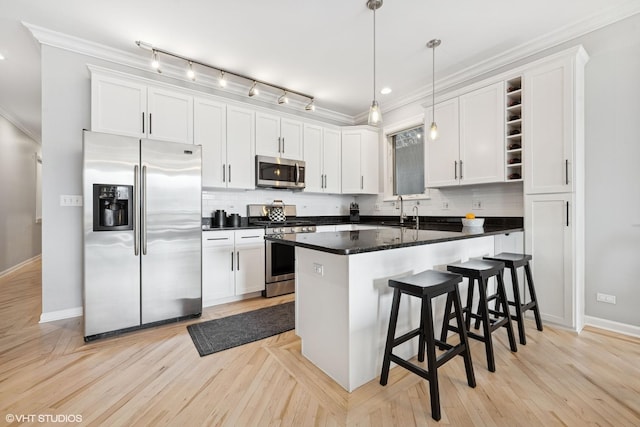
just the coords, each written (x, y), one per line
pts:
(222, 81)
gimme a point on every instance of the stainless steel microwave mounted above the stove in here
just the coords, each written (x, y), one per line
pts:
(276, 172)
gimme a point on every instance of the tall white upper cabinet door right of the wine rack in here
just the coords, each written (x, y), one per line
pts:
(549, 128)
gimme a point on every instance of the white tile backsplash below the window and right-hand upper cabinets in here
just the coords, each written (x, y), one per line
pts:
(493, 199)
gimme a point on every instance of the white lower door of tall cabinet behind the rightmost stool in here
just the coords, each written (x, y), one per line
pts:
(549, 238)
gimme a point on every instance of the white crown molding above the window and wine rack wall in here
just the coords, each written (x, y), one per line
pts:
(518, 53)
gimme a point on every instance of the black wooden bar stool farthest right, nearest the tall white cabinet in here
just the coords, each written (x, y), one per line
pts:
(512, 262)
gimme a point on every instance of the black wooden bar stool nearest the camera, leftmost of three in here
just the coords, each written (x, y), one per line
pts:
(427, 285)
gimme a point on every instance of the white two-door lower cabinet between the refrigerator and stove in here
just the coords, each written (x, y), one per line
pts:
(232, 264)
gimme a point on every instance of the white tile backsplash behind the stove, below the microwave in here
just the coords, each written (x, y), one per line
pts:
(308, 204)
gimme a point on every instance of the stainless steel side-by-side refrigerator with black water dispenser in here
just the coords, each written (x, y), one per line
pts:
(142, 233)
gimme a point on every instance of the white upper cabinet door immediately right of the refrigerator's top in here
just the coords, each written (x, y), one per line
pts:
(210, 131)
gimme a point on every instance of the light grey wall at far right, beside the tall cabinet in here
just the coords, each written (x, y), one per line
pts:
(612, 198)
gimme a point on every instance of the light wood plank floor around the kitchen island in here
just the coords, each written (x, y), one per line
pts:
(155, 377)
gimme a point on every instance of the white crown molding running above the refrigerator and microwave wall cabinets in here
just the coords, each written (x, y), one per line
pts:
(233, 90)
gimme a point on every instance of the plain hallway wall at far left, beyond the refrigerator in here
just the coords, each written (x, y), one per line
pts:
(20, 235)
